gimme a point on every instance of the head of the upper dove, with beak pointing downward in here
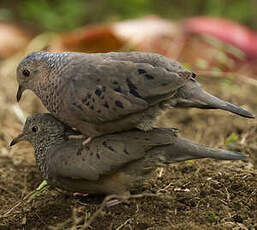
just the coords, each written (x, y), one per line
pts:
(34, 71)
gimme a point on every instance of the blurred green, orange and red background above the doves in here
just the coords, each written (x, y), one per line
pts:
(216, 35)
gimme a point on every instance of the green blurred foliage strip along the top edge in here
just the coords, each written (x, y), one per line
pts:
(59, 15)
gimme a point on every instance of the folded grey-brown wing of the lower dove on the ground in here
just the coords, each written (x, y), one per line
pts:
(106, 154)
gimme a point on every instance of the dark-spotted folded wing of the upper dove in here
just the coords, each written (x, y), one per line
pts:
(110, 89)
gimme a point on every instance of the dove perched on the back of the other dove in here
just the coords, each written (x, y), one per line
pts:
(109, 92)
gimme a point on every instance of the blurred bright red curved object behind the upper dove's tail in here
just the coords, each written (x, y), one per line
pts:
(225, 30)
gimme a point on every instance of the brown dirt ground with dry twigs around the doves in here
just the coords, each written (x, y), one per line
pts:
(199, 194)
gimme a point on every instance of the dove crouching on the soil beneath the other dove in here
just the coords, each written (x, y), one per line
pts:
(110, 164)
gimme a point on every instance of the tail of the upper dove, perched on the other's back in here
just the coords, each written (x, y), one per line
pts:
(191, 95)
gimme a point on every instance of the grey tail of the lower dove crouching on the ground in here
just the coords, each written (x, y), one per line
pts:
(183, 149)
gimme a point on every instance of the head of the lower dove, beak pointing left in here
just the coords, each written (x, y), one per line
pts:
(42, 129)
